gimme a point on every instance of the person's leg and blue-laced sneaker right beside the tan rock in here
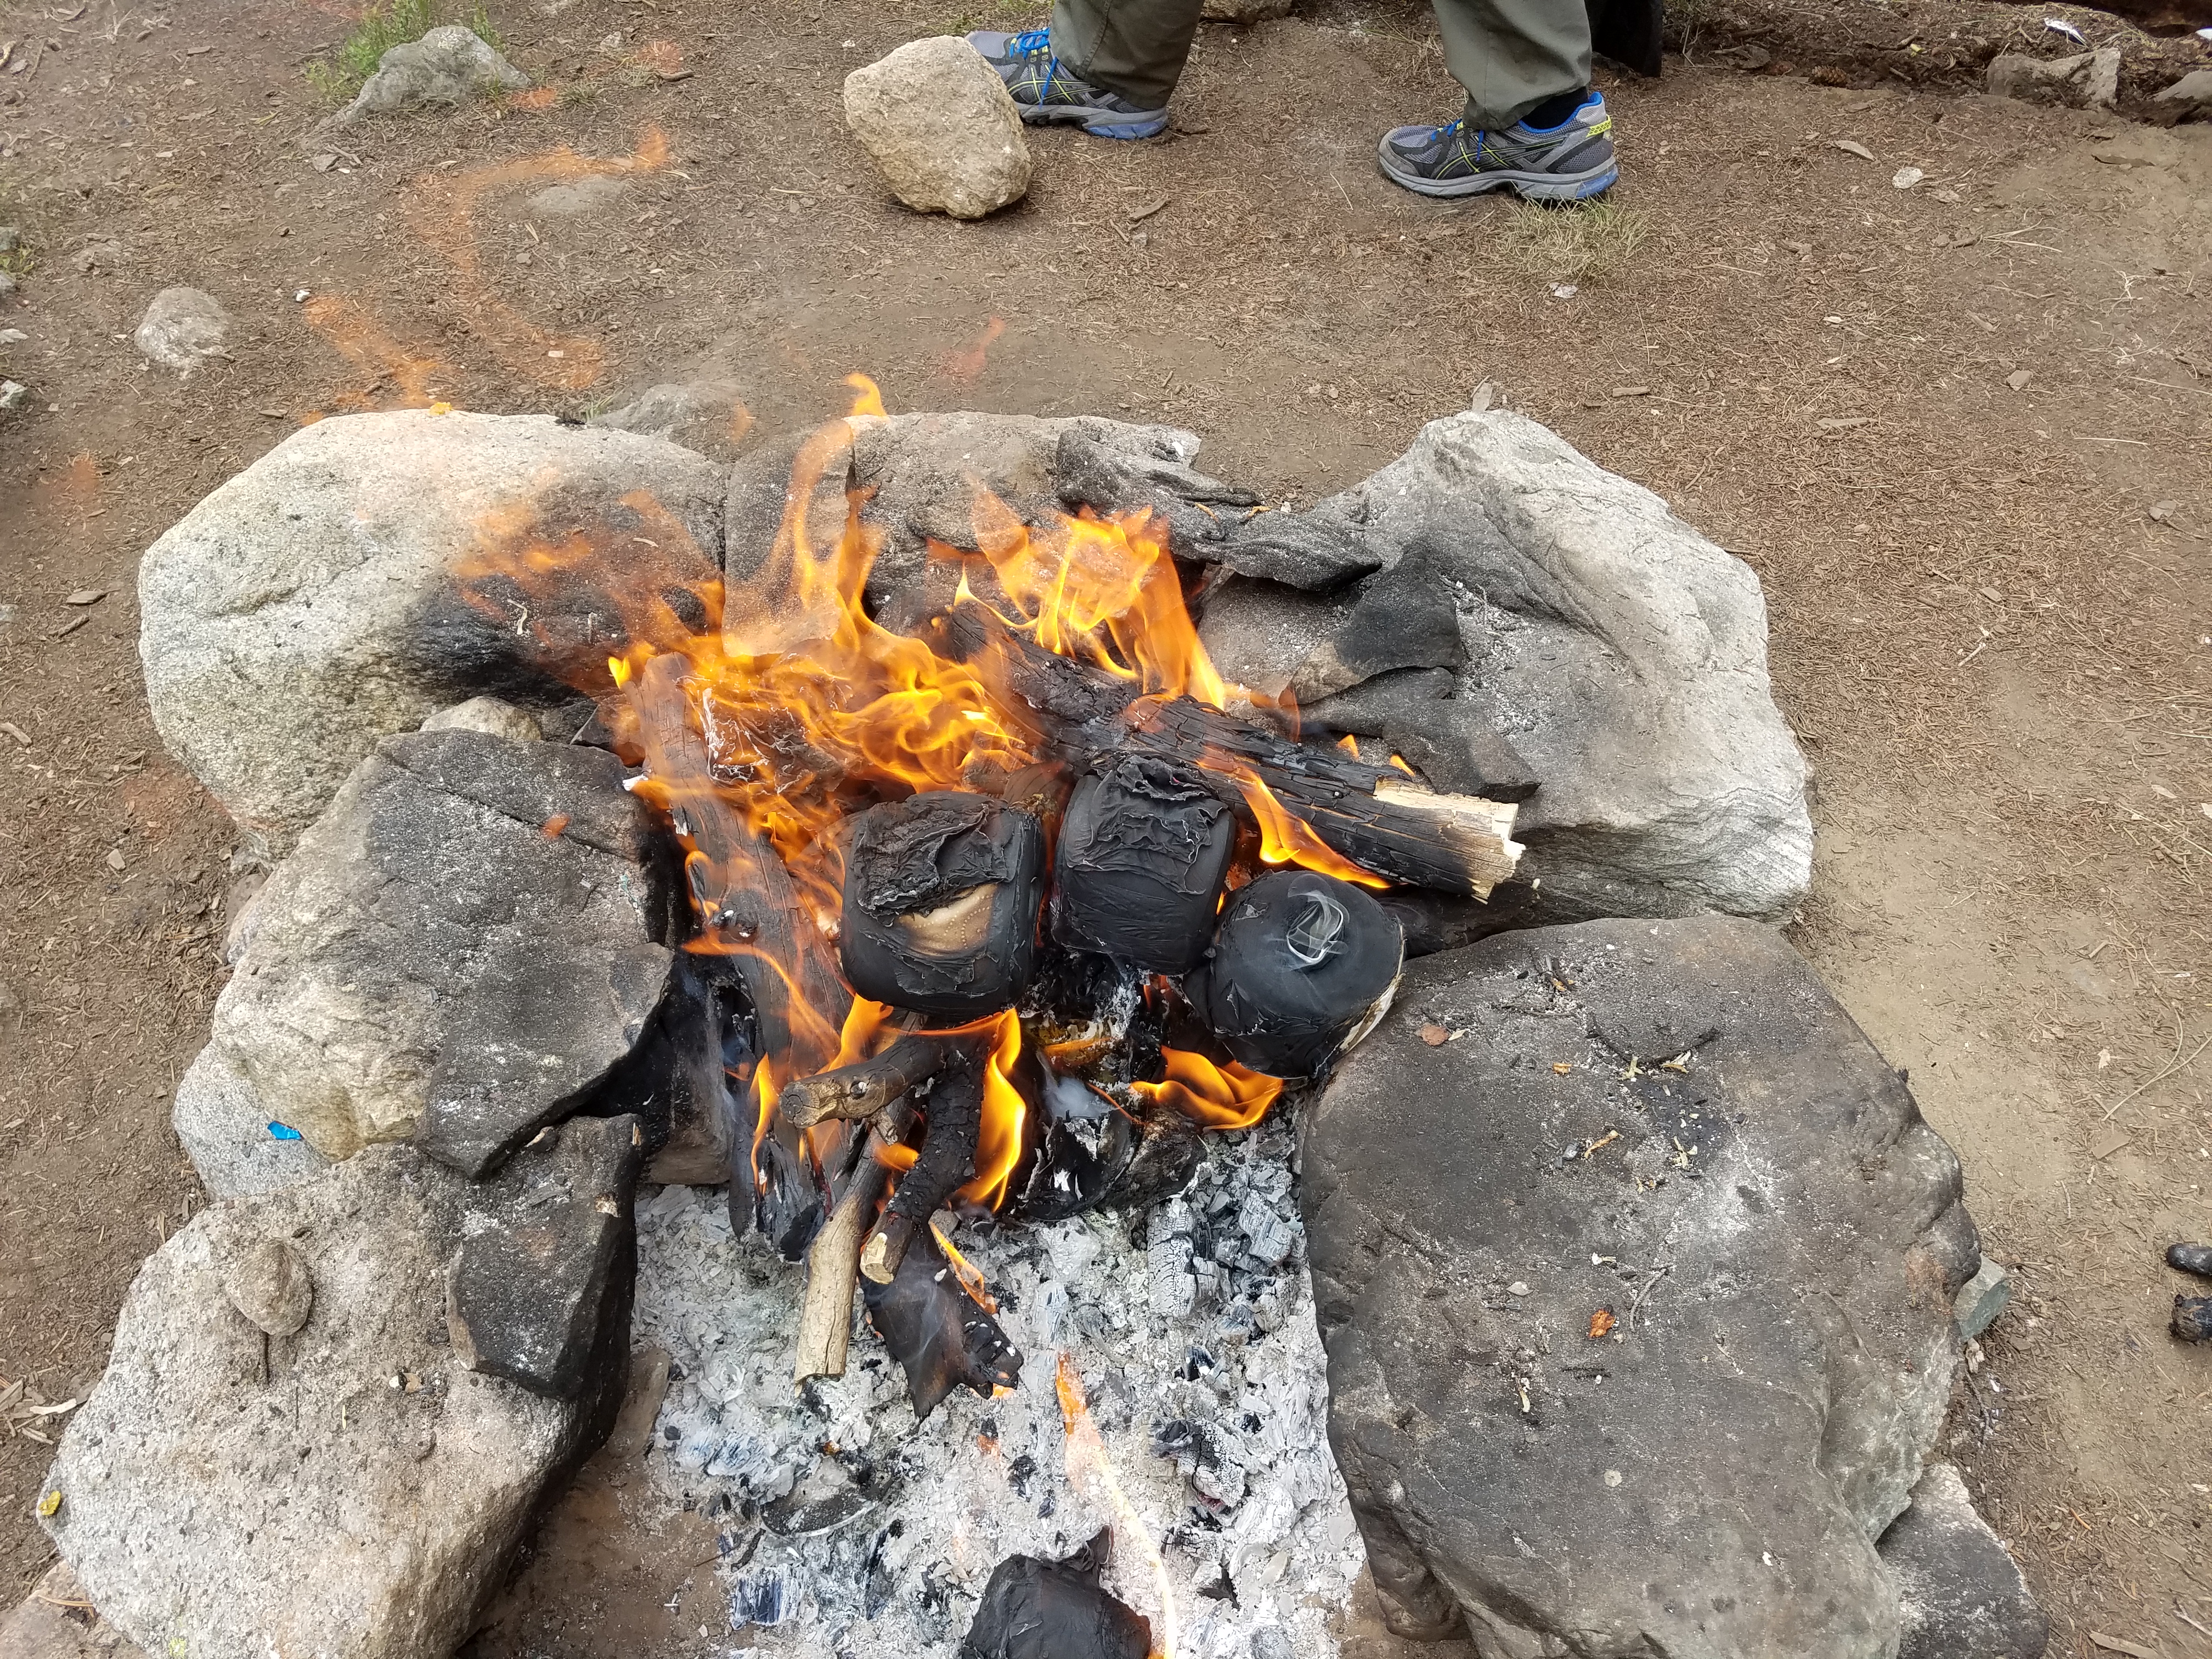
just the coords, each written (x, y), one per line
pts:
(1109, 65)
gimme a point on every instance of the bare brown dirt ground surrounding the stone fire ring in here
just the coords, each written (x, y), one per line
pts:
(1961, 430)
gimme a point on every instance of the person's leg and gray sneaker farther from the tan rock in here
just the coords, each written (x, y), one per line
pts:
(1532, 121)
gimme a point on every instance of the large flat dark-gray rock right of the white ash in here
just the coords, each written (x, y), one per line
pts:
(1735, 1246)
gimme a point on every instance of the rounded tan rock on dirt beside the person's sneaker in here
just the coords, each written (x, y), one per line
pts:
(941, 127)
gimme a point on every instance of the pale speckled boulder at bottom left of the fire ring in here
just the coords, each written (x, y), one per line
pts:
(351, 1490)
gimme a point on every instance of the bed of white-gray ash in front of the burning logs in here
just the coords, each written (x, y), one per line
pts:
(851, 1532)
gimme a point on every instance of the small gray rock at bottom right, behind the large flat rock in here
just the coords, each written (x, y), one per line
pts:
(1959, 1589)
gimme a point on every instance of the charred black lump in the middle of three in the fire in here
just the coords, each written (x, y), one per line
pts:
(1142, 855)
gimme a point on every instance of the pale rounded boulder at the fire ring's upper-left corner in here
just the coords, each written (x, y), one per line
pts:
(311, 605)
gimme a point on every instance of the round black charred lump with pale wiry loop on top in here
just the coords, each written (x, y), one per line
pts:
(1302, 970)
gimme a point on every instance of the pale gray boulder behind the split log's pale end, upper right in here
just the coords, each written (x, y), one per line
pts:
(1611, 645)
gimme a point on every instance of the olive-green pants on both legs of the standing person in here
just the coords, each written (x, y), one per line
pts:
(1507, 54)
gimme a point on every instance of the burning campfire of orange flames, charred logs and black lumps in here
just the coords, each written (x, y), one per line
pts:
(997, 915)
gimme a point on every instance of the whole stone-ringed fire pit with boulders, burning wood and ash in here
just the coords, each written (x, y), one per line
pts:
(1147, 1058)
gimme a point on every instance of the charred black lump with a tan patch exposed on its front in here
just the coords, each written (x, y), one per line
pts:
(941, 904)
